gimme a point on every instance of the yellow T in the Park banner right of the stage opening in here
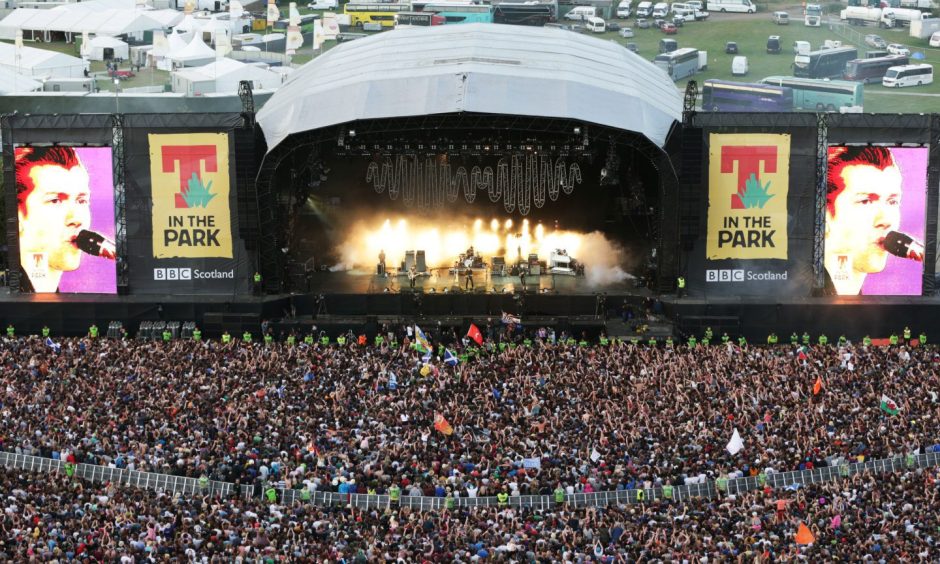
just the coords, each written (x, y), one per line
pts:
(748, 178)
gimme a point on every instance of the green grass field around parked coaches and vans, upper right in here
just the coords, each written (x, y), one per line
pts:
(751, 34)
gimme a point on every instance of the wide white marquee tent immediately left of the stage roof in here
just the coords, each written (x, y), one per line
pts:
(222, 76)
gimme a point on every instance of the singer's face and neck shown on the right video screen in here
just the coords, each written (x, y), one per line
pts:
(863, 213)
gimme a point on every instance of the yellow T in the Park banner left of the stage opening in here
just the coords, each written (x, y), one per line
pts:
(190, 190)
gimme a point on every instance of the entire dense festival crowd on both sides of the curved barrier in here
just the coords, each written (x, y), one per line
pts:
(361, 419)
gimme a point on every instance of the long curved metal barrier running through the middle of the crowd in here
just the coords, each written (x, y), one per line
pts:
(707, 489)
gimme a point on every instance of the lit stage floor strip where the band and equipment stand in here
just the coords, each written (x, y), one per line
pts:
(441, 281)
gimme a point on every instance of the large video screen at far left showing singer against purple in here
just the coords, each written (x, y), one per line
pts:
(65, 207)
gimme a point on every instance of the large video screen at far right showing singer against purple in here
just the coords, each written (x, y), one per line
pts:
(875, 221)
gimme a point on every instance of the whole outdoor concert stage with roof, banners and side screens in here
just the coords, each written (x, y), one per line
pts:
(332, 175)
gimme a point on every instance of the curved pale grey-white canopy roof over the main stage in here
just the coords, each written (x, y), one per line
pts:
(482, 68)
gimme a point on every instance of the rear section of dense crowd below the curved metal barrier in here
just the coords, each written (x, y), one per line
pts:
(884, 518)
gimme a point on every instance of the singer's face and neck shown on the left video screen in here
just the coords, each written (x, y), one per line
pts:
(54, 212)
